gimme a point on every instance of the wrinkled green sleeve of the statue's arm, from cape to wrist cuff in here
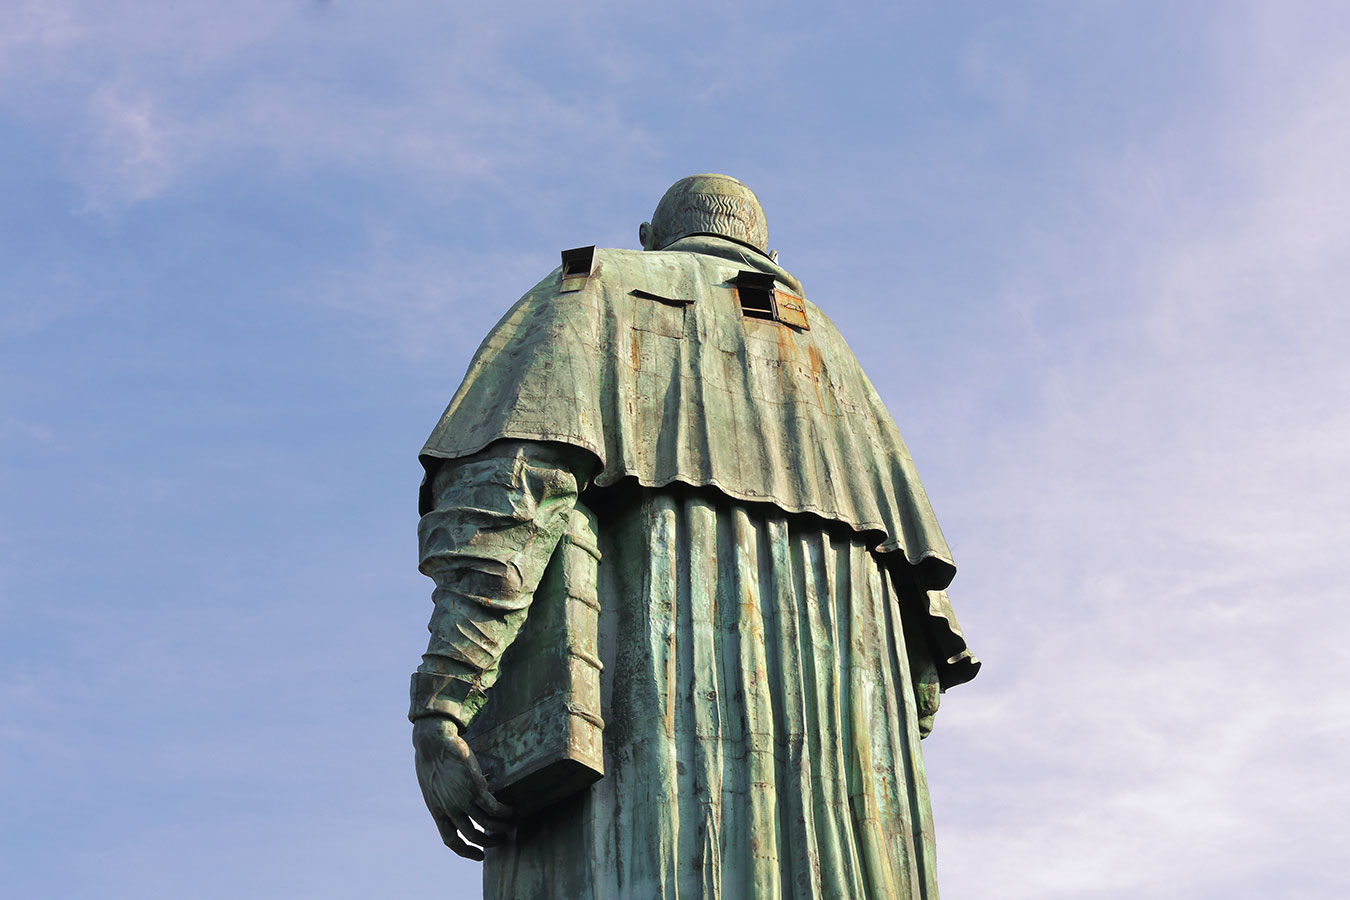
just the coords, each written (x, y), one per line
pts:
(495, 522)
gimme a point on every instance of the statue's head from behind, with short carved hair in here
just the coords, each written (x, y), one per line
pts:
(707, 206)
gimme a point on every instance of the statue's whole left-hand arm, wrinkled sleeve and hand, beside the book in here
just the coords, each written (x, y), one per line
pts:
(495, 523)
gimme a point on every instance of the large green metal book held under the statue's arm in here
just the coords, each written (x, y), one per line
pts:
(539, 736)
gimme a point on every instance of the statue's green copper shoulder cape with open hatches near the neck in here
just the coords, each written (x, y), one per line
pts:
(653, 368)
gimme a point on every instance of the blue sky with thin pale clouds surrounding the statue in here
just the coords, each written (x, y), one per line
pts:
(1091, 254)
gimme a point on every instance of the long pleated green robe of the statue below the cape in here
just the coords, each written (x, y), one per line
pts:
(762, 735)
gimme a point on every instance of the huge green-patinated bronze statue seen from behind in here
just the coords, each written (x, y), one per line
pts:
(691, 616)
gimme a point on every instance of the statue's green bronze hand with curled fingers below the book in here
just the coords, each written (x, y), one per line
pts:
(456, 790)
